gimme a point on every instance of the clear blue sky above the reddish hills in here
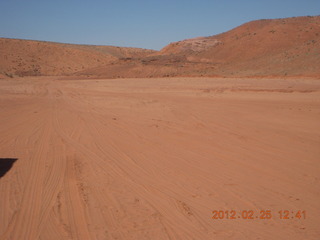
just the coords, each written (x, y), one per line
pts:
(137, 23)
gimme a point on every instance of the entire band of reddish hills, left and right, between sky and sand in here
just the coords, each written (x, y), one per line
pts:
(268, 47)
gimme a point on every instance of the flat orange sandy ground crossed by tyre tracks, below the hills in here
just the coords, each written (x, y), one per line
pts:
(155, 158)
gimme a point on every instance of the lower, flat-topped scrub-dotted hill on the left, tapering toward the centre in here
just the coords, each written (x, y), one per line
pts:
(42, 58)
